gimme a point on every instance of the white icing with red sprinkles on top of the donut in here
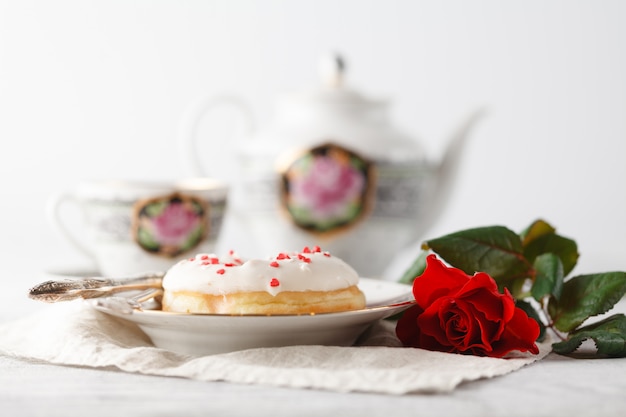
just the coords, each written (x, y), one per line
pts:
(309, 270)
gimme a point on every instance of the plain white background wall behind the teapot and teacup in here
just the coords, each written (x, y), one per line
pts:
(96, 89)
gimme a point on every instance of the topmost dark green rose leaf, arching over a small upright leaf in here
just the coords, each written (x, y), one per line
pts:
(566, 249)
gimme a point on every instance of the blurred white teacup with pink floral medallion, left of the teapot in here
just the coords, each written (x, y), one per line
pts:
(130, 227)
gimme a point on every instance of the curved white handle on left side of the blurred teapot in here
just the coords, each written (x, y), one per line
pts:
(194, 115)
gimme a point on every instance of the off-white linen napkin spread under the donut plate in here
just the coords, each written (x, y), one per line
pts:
(75, 334)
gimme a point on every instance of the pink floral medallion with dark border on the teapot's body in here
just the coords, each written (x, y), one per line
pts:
(327, 189)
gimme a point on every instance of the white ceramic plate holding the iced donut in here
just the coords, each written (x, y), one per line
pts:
(203, 334)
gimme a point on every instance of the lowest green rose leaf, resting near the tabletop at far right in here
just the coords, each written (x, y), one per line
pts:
(609, 335)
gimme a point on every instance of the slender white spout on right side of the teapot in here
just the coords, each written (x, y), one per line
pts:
(447, 170)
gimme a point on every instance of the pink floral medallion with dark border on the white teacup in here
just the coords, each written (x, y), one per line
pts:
(171, 225)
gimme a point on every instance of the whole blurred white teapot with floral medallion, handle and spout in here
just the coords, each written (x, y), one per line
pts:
(333, 172)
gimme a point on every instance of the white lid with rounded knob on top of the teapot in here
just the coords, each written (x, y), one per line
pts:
(333, 91)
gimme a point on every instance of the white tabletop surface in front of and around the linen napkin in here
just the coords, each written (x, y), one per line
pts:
(556, 386)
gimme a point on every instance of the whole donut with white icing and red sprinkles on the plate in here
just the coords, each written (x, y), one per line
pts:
(307, 282)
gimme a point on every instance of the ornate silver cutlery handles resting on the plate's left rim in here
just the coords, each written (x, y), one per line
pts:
(92, 287)
